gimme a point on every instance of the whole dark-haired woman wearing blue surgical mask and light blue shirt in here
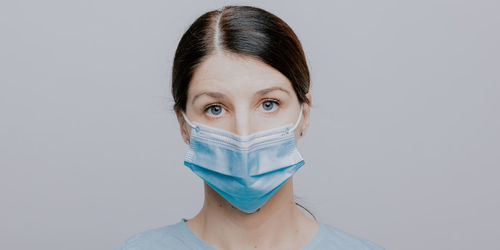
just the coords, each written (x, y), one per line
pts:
(240, 83)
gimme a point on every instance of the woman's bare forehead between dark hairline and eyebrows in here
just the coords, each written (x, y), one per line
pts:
(236, 75)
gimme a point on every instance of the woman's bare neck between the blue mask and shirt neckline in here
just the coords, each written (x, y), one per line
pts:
(277, 224)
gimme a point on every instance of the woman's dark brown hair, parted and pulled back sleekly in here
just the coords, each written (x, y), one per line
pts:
(240, 30)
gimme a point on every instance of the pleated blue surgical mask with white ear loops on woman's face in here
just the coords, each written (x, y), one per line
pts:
(245, 170)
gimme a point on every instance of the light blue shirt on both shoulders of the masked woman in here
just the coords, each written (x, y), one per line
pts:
(180, 236)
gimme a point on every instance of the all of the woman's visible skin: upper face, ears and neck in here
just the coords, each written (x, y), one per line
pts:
(249, 96)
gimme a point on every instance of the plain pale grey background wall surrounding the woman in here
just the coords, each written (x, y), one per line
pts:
(403, 148)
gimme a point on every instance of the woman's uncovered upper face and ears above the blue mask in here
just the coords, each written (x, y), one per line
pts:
(241, 95)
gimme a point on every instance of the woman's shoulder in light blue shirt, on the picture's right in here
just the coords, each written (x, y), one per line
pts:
(330, 237)
